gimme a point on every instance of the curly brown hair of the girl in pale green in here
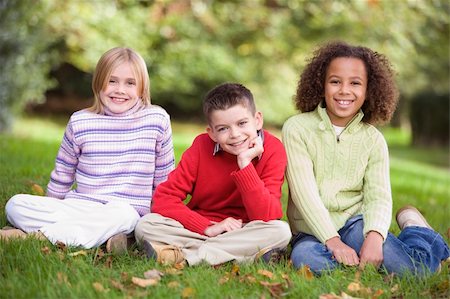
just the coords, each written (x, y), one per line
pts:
(381, 94)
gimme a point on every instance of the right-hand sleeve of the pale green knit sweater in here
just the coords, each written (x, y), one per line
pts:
(377, 199)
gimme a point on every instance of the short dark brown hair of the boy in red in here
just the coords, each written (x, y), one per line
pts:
(227, 95)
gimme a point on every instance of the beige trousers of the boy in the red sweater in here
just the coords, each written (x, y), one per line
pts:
(241, 245)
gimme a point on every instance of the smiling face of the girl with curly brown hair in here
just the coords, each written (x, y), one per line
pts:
(345, 89)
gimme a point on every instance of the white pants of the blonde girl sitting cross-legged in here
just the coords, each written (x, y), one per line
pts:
(73, 222)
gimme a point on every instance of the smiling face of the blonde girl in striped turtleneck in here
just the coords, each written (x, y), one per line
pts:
(121, 91)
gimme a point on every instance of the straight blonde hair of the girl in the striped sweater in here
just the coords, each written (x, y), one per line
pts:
(108, 62)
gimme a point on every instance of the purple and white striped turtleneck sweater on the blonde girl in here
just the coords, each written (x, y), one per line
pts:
(114, 157)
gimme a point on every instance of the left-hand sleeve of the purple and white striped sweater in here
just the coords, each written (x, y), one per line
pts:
(63, 175)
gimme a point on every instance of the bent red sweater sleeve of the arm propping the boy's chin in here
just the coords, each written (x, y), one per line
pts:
(261, 194)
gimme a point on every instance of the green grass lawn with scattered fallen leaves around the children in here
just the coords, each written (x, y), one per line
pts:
(38, 269)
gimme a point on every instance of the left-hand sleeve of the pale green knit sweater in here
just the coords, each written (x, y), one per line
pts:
(303, 187)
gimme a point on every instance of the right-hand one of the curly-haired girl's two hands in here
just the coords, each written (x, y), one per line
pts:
(372, 250)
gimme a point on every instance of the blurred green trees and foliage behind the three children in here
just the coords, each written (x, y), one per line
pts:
(48, 50)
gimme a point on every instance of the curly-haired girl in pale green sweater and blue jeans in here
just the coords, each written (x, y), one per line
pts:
(340, 202)
